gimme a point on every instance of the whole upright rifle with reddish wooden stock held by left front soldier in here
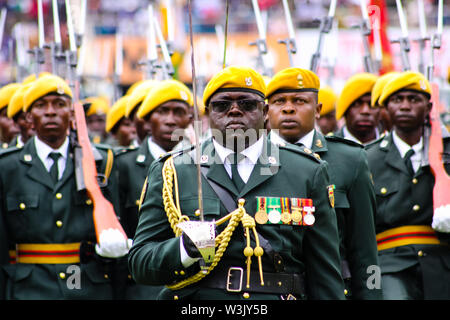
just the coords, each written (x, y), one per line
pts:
(86, 171)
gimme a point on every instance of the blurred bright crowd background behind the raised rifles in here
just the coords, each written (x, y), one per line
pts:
(342, 51)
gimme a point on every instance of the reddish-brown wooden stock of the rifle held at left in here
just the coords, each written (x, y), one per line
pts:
(103, 211)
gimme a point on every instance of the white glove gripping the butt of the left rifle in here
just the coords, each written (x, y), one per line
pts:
(113, 244)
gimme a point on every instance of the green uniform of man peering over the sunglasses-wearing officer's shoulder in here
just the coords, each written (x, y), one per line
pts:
(355, 206)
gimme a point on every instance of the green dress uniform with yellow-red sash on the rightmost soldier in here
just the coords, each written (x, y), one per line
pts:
(405, 205)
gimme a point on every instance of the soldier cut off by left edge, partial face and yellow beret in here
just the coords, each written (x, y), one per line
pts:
(8, 128)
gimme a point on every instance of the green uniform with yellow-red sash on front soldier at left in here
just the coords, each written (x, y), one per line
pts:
(49, 229)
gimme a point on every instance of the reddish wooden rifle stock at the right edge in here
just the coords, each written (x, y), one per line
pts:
(435, 154)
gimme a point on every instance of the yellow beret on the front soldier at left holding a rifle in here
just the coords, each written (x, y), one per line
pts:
(43, 86)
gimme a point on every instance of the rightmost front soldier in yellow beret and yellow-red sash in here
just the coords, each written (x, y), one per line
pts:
(414, 258)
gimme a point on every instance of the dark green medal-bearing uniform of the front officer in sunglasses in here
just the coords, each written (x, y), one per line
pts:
(302, 251)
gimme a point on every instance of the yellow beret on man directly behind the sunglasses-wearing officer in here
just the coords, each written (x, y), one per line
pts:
(293, 79)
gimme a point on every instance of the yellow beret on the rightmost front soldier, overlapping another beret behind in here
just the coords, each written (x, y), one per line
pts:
(407, 80)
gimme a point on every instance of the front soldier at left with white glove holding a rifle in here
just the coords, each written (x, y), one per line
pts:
(46, 224)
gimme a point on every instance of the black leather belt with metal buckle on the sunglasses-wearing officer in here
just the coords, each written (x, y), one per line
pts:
(234, 279)
